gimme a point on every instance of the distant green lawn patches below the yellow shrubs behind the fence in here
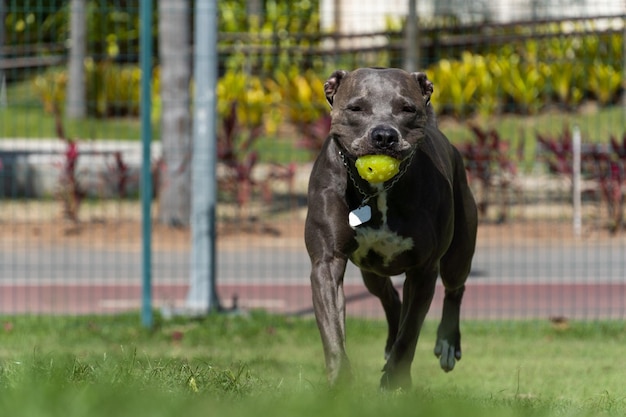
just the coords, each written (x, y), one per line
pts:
(30, 121)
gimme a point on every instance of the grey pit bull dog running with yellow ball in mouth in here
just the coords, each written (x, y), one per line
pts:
(421, 222)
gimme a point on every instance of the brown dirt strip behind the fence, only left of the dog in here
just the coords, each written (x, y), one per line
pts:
(120, 228)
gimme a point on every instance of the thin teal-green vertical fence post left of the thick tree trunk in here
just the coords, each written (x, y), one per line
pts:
(145, 54)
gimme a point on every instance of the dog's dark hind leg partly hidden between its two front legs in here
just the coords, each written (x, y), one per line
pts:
(382, 287)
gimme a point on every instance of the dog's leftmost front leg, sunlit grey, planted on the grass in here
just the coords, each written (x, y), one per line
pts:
(330, 313)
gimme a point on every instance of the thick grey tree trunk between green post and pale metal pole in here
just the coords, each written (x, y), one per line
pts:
(175, 73)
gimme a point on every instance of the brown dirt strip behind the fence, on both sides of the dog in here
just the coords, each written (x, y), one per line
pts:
(119, 228)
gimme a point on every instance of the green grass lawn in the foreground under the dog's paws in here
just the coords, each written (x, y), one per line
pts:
(272, 365)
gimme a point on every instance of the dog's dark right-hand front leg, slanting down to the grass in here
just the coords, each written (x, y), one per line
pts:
(418, 291)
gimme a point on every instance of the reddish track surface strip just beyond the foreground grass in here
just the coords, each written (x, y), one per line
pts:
(482, 300)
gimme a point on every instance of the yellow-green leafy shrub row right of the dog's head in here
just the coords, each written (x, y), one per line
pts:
(526, 76)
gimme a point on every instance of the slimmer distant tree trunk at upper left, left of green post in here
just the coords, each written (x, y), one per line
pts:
(76, 96)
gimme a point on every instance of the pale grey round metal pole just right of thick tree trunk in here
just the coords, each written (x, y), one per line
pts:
(202, 296)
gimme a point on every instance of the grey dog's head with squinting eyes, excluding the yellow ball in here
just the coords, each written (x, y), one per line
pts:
(378, 110)
